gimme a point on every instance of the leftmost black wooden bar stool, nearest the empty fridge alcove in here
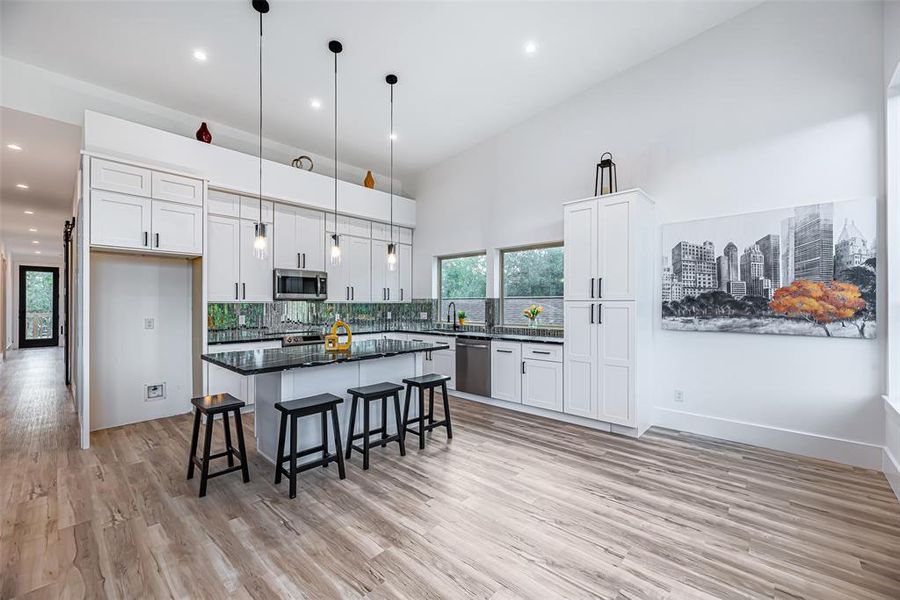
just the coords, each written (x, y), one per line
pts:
(211, 406)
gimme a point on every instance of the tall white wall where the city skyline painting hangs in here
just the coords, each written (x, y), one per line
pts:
(778, 107)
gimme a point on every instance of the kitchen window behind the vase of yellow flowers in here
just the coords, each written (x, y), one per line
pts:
(532, 276)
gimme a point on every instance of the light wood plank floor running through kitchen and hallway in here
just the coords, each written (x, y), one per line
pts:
(513, 507)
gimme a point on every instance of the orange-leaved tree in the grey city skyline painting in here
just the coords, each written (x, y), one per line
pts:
(818, 302)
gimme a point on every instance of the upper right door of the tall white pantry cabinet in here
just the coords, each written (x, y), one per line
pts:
(615, 253)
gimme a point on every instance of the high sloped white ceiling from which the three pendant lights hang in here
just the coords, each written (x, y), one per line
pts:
(463, 73)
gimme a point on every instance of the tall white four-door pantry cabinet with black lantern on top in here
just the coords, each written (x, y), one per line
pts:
(610, 248)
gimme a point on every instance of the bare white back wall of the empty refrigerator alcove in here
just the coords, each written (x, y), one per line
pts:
(124, 356)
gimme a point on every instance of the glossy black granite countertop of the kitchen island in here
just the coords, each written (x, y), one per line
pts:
(254, 362)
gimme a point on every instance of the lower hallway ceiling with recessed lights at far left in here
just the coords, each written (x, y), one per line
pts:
(48, 165)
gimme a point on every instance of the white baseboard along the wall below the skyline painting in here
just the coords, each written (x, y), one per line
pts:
(858, 454)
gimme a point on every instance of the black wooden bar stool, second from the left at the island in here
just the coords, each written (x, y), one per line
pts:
(320, 404)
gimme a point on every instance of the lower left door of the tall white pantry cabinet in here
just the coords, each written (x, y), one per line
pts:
(580, 359)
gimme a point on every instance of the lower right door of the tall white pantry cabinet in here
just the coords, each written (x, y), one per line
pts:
(616, 360)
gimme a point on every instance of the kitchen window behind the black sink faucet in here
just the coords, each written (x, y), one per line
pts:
(464, 282)
